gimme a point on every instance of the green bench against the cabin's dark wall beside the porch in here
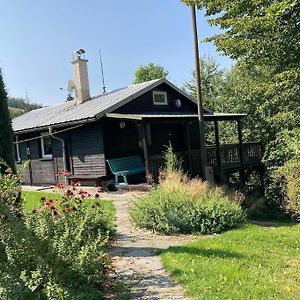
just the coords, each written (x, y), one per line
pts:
(124, 166)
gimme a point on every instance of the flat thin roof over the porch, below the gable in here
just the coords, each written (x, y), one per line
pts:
(207, 117)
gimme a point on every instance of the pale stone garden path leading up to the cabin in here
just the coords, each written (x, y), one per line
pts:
(134, 255)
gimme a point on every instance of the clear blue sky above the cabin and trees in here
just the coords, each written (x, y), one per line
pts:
(38, 37)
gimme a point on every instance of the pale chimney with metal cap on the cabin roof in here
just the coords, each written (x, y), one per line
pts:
(81, 77)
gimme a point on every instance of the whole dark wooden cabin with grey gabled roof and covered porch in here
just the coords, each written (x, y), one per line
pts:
(137, 120)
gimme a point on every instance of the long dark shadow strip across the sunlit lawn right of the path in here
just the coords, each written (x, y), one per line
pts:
(204, 252)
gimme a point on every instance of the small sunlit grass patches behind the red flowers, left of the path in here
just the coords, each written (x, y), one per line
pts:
(31, 200)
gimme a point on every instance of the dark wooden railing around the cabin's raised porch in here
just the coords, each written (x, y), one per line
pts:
(227, 158)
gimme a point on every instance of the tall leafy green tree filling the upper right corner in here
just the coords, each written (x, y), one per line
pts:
(263, 34)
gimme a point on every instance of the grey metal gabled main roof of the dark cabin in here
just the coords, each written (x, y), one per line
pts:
(71, 113)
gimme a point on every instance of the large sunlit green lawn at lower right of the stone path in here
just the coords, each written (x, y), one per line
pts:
(247, 263)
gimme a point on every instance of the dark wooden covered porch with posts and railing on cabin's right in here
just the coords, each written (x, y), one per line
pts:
(156, 131)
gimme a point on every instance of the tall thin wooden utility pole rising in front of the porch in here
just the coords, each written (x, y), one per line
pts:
(203, 157)
